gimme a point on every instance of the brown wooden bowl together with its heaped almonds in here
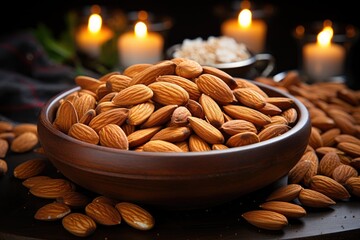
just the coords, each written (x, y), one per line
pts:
(174, 134)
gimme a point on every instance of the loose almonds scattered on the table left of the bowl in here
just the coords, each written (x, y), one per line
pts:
(79, 214)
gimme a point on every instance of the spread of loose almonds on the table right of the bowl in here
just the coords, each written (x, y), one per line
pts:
(328, 171)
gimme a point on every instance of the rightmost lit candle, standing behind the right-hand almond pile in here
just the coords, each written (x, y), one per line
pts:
(323, 59)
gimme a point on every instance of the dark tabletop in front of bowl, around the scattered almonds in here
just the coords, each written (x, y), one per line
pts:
(18, 206)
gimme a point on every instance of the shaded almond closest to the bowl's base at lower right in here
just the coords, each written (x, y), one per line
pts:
(285, 193)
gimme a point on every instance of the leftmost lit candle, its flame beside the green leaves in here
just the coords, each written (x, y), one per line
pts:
(91, 37)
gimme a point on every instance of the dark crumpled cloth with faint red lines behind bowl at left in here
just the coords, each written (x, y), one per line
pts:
(28, 78)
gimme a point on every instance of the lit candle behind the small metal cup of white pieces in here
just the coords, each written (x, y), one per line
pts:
(245, 29)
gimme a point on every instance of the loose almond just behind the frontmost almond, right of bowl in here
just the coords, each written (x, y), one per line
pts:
(289, 210)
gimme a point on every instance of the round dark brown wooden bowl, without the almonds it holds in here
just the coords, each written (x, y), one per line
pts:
(174, 180)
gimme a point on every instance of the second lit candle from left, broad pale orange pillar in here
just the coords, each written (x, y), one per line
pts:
(140, 46)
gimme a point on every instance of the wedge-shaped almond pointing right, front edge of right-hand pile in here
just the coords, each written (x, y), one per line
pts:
(312, 198)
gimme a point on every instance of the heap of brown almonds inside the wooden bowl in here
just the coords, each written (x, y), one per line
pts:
(175, 105)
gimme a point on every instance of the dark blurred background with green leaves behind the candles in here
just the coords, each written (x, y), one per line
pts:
(50, 26)
